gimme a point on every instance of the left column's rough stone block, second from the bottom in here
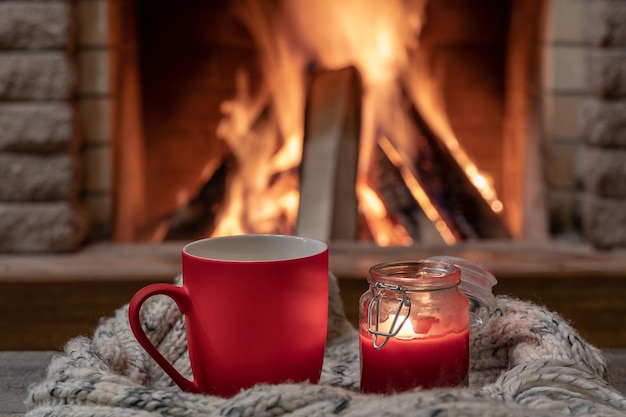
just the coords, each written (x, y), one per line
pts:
(28, 177)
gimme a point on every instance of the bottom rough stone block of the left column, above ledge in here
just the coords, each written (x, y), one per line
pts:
(41, 227)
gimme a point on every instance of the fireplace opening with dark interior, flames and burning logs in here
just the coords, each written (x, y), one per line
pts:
(246, 155)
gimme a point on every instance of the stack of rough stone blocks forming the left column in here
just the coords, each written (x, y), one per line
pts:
(39, 186)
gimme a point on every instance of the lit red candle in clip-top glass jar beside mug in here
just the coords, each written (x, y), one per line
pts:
(413, 327)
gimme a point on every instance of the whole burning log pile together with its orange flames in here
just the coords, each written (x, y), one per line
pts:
(355, 110)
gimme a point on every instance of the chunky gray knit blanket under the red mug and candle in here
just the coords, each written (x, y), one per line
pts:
(525, 361)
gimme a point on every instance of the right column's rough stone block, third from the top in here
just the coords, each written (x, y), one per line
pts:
(603, 122)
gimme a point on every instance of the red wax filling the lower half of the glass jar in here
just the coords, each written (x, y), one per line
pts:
(405, 364)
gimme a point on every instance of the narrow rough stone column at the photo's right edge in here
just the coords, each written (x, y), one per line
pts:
(602, 162)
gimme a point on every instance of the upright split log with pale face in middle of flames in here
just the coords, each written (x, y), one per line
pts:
(328, 206)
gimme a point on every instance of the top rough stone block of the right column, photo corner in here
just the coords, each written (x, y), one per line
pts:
(606, 24)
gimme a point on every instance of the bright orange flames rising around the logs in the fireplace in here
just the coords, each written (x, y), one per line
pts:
(264, 129)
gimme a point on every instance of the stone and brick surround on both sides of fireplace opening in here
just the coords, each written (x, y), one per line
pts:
(55, 136)
